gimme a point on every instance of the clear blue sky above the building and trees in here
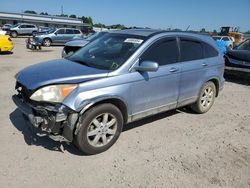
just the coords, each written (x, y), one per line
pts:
(163, 14)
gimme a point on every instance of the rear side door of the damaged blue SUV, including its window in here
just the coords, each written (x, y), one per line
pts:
(194, 68)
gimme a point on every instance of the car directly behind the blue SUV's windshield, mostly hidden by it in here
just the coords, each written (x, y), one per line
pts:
(74, 45)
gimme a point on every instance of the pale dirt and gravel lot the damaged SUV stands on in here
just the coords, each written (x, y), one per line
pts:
(173, 149)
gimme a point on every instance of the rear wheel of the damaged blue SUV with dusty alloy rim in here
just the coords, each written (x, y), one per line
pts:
(206, 98)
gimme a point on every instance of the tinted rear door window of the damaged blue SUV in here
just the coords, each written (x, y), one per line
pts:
(191, 50)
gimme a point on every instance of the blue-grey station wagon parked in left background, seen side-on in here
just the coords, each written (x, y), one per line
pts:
(58, 36)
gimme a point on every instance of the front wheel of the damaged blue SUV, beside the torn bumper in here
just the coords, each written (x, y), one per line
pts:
(100, 128)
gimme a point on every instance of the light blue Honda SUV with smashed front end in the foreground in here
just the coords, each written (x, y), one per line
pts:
(119, 78)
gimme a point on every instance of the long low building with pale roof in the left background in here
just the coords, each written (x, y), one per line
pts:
(41, 20)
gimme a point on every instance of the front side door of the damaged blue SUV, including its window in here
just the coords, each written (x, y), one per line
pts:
(157, 90)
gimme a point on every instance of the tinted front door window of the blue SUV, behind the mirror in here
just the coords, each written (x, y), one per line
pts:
(163, 52)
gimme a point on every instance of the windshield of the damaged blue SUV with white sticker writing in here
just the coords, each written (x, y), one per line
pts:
(108, 52)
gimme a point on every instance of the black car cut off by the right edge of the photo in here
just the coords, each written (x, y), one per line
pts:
(239, 58)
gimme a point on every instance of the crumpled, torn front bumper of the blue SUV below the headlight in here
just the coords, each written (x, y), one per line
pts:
(58, 122)
